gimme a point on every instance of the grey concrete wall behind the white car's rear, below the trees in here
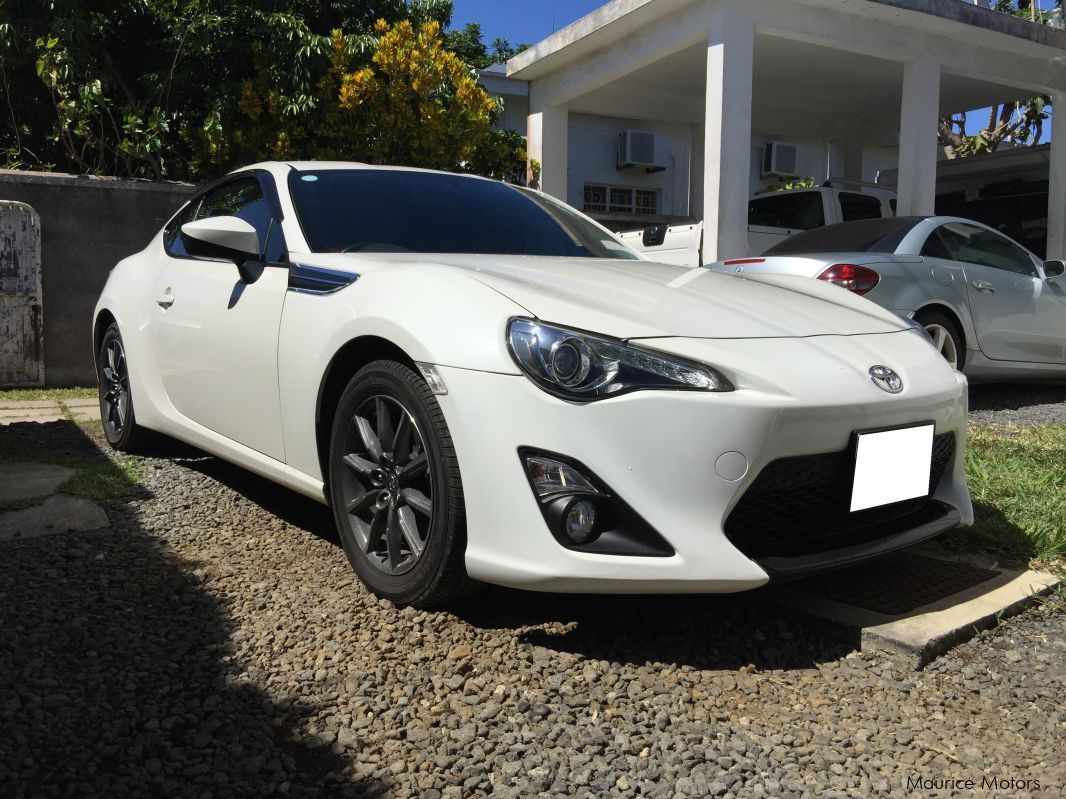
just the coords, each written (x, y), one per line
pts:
(87, 225)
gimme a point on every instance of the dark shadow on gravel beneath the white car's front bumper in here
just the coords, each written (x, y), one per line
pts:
(704, 632)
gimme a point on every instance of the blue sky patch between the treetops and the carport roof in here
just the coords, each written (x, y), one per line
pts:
(521, 21)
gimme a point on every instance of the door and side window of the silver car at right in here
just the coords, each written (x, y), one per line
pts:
(1015, 313)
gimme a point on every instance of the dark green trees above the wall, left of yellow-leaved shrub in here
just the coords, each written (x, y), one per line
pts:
(185, 90)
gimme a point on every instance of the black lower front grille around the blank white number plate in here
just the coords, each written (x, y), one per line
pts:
(801, 507)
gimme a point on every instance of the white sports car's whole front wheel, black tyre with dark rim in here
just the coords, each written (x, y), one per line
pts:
(398, 504)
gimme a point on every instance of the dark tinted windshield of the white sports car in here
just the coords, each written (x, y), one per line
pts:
(397, 211)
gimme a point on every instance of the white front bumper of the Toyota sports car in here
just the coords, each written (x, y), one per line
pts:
(673, 456)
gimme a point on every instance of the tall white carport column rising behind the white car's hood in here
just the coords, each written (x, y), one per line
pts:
(728, 134)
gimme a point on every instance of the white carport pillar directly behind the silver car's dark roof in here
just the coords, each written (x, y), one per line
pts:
(918, 138)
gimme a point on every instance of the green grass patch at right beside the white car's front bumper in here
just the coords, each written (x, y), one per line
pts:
(1017, 479)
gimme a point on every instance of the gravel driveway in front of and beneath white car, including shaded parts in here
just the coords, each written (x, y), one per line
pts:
(215, 643)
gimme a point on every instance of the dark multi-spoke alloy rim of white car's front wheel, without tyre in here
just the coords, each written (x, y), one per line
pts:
(387, 487)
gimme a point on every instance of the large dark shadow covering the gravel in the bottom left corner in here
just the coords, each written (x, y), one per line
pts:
(117, 677)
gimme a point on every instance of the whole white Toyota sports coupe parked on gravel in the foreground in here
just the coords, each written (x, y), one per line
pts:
(488, 386)
